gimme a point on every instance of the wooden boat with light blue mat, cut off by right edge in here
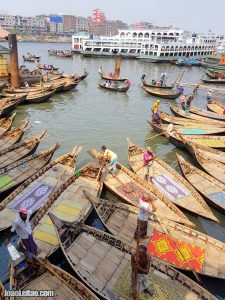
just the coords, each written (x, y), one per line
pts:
(212, 189)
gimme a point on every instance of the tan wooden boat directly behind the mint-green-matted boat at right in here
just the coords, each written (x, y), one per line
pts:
(165, 118)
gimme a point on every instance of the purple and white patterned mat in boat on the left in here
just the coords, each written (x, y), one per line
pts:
(32, 198)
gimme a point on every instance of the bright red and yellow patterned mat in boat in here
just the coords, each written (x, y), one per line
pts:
(163, 246)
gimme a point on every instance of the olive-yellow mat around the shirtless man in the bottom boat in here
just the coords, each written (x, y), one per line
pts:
(164, 288)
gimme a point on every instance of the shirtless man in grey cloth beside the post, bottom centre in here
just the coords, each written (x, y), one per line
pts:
(140, 265)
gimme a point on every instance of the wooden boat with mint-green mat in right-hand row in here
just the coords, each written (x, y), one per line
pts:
(189, 129)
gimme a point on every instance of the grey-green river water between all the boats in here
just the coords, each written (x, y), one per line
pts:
(90, 117)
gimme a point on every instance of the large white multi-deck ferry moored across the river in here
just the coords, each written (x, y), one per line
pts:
(155, 45)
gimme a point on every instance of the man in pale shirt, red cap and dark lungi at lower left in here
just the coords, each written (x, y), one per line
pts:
(23, 229)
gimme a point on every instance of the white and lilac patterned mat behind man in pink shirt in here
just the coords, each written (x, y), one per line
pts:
(169, 187)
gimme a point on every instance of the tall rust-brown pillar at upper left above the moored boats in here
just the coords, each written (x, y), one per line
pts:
(14, 63)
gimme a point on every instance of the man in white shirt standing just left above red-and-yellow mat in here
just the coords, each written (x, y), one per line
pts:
(146, 206)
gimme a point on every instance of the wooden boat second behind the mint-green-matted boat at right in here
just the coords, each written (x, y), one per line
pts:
(181, 113)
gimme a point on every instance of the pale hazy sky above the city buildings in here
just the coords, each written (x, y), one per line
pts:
(198, 15)
